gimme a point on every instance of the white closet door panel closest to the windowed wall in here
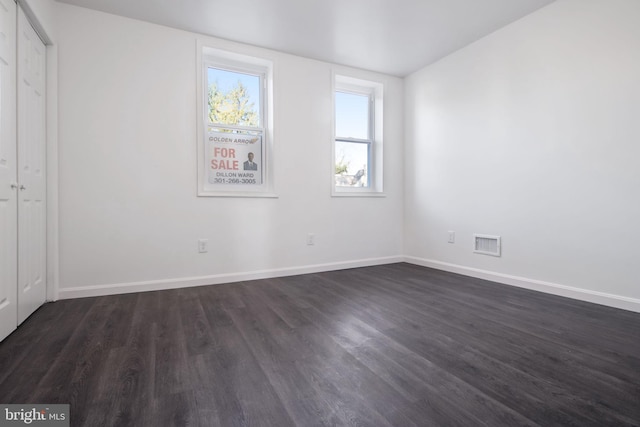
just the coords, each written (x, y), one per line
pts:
(31, 173)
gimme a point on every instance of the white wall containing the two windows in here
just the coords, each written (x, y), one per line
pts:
(129, 215)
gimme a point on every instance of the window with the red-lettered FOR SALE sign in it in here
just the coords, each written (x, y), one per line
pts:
(235, 138)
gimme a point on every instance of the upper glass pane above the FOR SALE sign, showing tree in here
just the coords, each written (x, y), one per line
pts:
(234, 98)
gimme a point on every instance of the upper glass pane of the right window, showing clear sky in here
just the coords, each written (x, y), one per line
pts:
(352, 115)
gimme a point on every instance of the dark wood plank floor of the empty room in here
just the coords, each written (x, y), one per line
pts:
(395, 345)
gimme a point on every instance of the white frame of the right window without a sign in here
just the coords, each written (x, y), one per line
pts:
(374, 92)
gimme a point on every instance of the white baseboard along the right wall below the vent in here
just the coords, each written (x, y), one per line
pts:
(602, 298)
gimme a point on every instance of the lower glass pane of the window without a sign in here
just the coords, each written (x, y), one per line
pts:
(352, 164)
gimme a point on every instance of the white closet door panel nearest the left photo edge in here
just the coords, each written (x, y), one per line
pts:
(8, 187)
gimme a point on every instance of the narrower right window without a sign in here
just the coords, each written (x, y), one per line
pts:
(357, 137)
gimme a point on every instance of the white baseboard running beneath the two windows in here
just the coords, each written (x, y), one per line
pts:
(186, 282)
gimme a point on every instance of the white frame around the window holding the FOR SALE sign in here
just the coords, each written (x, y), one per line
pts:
(209, 57)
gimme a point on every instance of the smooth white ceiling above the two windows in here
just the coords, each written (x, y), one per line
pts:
(395, 37)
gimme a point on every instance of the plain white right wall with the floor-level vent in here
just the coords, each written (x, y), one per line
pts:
(533, 134)
